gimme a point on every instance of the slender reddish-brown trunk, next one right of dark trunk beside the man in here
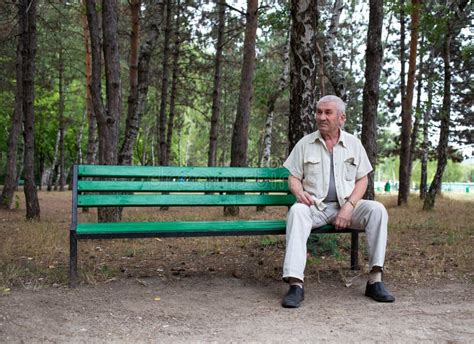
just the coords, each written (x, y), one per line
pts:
(407, 103)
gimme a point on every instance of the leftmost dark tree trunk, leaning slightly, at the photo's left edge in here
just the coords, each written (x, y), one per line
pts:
(11, 176)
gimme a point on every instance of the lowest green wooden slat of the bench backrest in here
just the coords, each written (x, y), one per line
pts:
(182, 200)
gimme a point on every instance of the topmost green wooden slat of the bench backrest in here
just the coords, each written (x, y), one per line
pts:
(183, 172)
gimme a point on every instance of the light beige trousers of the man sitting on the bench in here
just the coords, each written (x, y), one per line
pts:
(369, 215)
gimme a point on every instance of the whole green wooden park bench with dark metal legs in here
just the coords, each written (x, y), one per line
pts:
(145, 186)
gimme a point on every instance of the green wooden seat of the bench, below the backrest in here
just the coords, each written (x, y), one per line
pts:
(170, 228)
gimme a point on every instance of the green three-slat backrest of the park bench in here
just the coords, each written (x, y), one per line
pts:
(100, 186)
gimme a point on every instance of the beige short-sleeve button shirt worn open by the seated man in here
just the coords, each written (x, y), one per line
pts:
(310, 160)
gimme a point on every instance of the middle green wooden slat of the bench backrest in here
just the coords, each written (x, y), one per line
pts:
(181, 186)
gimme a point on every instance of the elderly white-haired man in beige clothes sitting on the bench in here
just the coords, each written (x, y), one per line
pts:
(328, 176)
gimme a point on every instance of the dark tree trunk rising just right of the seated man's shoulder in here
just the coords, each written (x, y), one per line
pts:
(373, 67)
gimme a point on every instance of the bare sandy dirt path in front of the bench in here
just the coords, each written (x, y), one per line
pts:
(234, 310)
